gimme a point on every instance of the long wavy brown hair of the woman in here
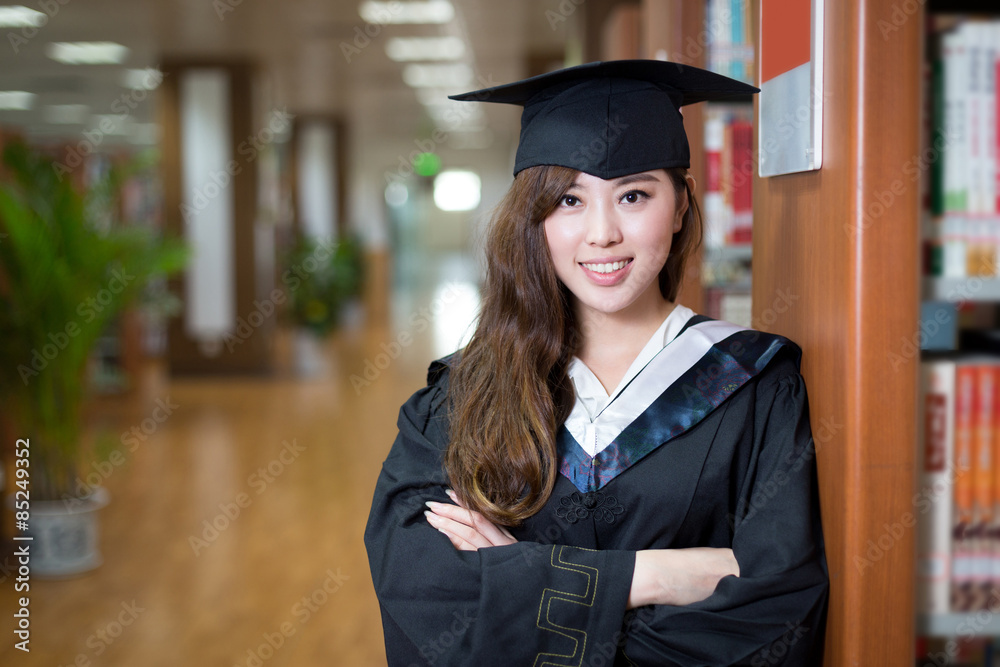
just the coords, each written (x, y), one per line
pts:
(510, 390)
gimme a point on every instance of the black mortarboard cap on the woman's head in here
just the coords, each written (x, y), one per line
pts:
(609, 119)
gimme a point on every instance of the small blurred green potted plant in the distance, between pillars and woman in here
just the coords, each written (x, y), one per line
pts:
(322, 277)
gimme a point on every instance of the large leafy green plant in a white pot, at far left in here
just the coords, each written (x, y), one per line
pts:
(66, 272)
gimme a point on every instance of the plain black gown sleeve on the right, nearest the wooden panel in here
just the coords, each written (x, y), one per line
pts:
(774, 613)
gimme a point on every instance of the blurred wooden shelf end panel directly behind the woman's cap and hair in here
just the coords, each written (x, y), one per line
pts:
(672, 28)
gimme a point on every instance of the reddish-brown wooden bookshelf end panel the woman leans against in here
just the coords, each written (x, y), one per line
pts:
(835, 261)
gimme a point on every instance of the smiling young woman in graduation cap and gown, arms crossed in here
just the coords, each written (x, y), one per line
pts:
(602, 476)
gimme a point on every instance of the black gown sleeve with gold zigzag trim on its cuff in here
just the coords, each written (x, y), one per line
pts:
(521, 604)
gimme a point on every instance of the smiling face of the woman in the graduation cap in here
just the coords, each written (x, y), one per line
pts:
(610, 239)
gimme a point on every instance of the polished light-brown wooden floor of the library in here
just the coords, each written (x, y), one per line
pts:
(290, 570)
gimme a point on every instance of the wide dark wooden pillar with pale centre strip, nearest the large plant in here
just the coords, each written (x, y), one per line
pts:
(245, 343)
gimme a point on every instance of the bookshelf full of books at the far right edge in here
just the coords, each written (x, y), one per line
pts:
(959, 537)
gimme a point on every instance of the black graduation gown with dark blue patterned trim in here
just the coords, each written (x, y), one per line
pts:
(724, 458)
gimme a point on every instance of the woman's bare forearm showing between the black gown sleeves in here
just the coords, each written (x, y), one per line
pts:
(679, 576)
